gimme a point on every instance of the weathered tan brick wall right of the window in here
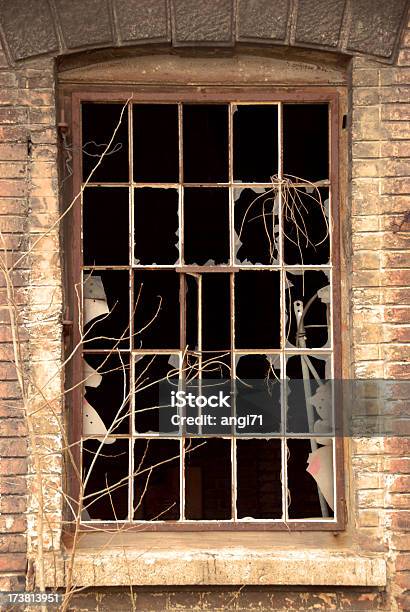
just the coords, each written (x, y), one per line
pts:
(380, 296)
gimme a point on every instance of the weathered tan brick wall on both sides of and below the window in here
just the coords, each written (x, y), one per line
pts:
(379, 328)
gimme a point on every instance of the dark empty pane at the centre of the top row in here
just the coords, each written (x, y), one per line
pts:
(205, 143)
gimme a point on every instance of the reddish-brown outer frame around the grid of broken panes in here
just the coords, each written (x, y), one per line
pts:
(72, 240)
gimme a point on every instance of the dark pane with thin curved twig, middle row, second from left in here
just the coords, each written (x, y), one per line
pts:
(156, 308)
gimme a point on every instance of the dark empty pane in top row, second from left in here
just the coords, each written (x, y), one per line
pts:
(156, 152)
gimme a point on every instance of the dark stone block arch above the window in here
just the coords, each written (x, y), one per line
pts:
(58, 27)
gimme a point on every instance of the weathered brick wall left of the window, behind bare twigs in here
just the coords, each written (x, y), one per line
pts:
(28, 204)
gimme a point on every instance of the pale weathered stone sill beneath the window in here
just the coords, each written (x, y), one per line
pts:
(182, 564)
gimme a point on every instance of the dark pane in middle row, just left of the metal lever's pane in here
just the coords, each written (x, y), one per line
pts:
(257, 309)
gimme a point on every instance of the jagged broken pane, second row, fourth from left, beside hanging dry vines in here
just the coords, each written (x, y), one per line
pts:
(256, 217)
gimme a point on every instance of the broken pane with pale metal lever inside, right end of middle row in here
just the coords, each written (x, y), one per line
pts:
(308, 289)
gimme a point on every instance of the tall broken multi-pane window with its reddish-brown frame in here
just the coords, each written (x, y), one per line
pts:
(208, 255)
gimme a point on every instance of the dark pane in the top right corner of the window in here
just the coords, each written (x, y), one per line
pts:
(306, 141)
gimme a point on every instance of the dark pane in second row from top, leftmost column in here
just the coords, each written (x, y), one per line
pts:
(106, 226)
